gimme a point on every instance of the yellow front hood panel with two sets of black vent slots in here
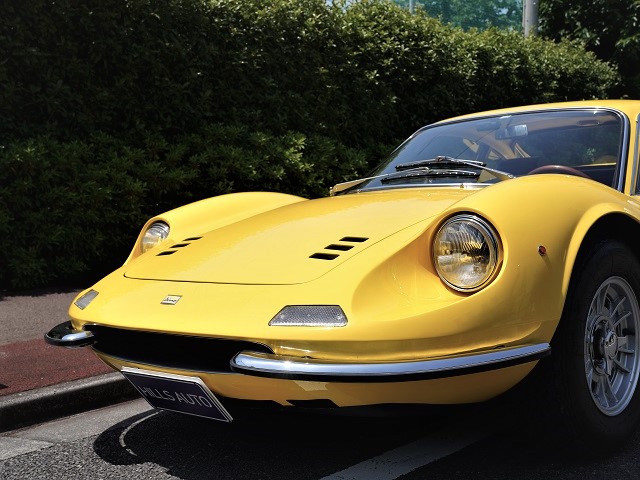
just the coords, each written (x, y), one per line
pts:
(293, 244)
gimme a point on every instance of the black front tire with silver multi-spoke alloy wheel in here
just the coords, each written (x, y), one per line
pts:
(595, 354)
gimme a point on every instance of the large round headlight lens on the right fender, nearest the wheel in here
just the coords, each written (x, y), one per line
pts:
(466, 252)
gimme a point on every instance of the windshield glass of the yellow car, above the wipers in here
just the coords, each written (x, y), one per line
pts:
(584, 142)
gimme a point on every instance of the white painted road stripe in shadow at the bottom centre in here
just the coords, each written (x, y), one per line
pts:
(405, 459)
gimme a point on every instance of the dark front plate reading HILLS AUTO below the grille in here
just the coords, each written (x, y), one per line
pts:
(178, 393)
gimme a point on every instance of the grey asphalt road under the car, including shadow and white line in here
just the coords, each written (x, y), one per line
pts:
(134, 442)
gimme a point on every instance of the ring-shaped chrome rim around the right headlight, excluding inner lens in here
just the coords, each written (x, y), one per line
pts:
(493, 243)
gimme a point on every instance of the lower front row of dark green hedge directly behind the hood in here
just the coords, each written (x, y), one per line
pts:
(70, 211)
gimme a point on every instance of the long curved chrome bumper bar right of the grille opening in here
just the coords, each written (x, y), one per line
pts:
(296, 368)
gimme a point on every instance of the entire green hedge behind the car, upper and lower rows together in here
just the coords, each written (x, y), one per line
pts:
(113, 111)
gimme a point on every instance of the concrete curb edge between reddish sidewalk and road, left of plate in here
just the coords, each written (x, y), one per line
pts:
(36, 406)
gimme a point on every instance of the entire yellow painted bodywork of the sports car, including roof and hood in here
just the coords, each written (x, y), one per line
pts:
(232, 263)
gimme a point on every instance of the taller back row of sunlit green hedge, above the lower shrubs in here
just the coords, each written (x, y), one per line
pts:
(369, 72)
